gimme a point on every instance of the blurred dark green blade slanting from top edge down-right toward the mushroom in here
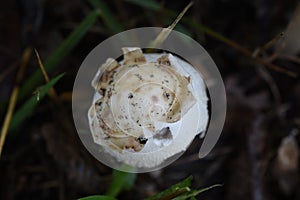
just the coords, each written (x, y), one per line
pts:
(107, 15)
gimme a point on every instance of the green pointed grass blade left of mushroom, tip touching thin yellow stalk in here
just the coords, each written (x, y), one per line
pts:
(29, 105)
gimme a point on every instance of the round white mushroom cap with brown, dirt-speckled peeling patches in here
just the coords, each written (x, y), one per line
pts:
(147, 108)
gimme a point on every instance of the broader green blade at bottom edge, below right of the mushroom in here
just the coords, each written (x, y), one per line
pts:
(174, 190)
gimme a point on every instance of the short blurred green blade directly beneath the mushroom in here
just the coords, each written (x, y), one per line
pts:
(121, 181)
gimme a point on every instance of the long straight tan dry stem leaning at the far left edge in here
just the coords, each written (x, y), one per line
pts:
(13, 98)
